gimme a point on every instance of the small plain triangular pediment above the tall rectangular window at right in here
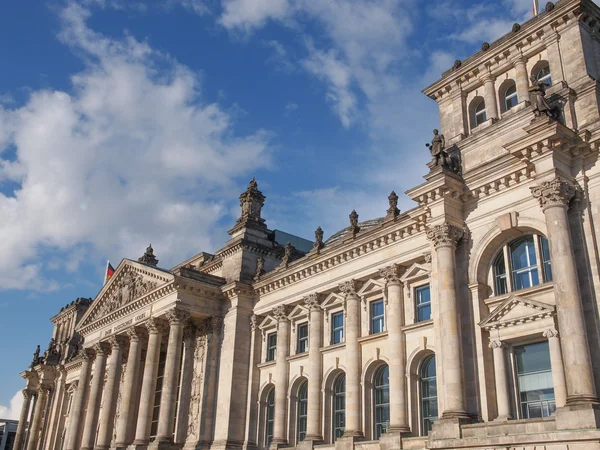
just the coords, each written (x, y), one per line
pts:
(515, 310)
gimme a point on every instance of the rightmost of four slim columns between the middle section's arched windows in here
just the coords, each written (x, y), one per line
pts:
(397, 349)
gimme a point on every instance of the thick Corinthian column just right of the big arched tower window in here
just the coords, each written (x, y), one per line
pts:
(554, 197)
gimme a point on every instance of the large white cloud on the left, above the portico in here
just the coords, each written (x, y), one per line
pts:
(132, 155)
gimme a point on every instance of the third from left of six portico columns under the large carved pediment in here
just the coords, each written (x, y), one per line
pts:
(111, 391)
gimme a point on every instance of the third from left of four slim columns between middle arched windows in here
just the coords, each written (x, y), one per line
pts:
(353, 358)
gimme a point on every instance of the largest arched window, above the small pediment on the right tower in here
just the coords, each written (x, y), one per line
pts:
(527, 260)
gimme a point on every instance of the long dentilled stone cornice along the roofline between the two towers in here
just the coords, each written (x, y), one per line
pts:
(332, 257)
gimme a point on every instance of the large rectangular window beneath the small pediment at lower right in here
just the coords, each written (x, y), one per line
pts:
(534, 379)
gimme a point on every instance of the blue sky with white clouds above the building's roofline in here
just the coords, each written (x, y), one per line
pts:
(124, 122)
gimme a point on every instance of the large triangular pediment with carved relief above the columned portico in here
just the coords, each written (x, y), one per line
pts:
(131, 281)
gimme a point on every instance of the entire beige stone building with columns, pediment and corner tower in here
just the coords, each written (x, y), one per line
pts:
(470, 321)
